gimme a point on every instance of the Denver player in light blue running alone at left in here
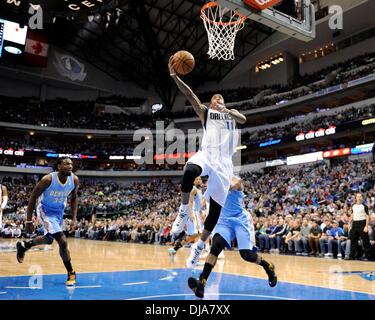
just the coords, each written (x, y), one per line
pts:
(49, 197)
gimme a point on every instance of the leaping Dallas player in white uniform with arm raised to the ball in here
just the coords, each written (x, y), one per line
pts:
(219, 142)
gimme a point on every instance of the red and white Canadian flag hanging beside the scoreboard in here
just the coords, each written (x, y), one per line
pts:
(36, 50)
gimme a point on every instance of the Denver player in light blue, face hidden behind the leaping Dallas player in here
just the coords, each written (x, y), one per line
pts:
(234, 223)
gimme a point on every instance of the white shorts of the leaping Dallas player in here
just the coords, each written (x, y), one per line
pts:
(220, 173)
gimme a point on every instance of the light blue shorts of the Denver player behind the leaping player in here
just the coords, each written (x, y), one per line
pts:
(231, 228)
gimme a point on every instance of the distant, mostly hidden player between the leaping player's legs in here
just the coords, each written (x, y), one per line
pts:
(193, 225)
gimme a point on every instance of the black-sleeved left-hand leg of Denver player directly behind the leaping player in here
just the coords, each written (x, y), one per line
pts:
(197, 285)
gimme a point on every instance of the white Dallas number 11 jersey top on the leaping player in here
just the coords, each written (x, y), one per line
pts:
(220, 133)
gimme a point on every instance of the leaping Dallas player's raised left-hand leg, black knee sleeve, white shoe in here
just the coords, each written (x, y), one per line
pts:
(191, 172)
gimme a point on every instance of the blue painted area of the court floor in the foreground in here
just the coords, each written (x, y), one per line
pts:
(164, 285)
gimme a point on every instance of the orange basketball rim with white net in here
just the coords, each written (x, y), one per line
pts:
(222, 25)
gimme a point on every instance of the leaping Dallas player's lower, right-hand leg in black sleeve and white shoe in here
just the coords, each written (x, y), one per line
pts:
(209, 225)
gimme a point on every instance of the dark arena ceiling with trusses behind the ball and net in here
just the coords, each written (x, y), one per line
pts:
(138, 46)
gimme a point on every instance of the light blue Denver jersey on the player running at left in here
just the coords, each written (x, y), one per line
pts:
(54, 199)
